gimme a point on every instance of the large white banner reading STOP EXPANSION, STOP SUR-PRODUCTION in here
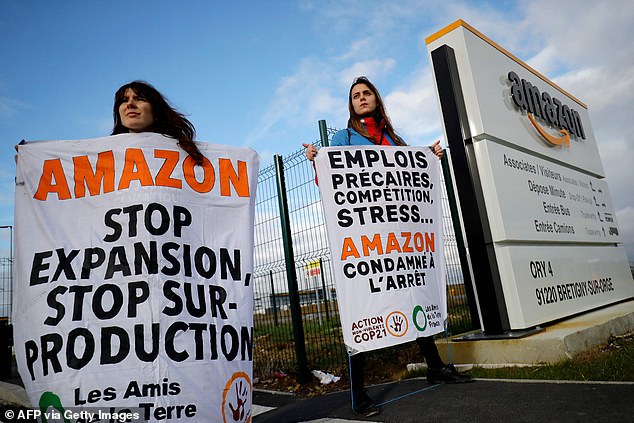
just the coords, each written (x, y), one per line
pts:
(133, 291)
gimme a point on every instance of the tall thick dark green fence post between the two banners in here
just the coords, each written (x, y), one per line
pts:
(291, 274)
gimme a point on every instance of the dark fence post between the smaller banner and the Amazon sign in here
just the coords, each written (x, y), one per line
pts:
(462, 250)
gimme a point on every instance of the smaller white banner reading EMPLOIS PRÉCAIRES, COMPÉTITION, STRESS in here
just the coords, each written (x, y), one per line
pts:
(384, 222)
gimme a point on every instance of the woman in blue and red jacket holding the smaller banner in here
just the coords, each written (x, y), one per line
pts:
(369, 124)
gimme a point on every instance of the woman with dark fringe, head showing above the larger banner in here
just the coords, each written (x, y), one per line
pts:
(139, 107)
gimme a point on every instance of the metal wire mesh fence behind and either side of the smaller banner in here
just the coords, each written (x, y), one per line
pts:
(275, 348)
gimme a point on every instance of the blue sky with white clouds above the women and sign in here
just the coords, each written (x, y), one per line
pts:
(262, 73)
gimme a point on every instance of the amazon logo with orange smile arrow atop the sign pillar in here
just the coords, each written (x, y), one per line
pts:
(541, 106)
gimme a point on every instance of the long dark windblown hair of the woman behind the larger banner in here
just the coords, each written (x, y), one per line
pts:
(167, 120)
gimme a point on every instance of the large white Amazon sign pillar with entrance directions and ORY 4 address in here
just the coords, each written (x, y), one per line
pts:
(541, 230)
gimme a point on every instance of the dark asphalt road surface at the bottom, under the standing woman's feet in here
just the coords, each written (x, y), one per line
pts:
(415, 400)
